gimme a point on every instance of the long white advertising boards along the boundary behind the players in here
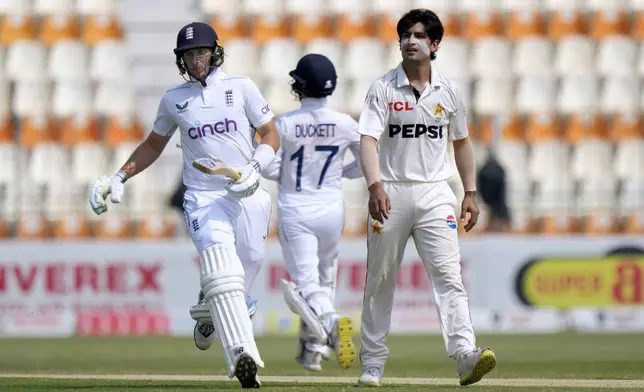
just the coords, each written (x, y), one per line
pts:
(515, 284)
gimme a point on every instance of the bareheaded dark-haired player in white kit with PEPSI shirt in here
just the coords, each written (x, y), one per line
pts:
(409, 116)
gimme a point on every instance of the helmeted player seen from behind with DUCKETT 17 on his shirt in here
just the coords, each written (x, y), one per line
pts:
(309, 169)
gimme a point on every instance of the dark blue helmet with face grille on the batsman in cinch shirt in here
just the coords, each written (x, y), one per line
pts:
(198, 35)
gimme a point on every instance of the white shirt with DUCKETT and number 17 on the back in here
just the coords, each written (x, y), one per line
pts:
(313, 142)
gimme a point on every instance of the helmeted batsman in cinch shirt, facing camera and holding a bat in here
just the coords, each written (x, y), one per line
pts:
(217, 115)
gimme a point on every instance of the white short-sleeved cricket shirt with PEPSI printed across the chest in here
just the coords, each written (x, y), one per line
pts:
(413, 133)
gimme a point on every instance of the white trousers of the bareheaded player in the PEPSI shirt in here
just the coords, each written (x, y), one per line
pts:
(426, 212)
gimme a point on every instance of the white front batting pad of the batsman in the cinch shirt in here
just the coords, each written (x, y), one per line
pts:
(222, 282)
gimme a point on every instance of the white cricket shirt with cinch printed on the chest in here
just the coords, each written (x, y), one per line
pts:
(217, 121)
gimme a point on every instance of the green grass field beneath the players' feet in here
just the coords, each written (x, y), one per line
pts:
(564, 362)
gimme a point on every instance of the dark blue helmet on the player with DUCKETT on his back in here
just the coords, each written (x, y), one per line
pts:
(314, 76)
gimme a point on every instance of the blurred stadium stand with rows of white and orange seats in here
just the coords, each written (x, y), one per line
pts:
(553, 87)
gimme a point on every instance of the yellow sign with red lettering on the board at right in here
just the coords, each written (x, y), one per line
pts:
(565, 282)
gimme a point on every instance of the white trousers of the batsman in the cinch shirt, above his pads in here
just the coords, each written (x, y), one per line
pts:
(213, 218)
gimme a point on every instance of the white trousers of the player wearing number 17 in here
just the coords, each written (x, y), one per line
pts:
(310, 248)
